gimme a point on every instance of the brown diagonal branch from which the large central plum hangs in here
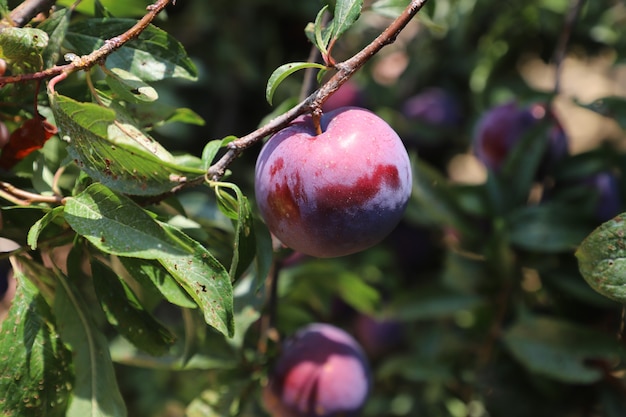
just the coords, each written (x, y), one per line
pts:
(314, 101)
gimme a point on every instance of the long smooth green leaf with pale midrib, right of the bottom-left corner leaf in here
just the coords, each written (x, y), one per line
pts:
(95, 393)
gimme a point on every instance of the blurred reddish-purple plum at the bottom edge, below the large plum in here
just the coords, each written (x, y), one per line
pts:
(321, 372)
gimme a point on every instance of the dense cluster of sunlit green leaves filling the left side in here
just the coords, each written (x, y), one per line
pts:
(126, 246)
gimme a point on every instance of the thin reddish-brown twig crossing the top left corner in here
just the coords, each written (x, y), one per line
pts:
(88, 61)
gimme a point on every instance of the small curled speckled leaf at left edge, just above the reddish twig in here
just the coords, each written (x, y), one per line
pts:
(23, 47)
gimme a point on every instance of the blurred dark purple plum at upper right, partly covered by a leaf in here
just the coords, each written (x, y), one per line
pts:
(500, 128)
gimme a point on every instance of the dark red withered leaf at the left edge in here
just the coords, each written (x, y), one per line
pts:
(26, 139)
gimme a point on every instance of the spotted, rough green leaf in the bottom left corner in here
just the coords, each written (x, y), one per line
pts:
(35, 365)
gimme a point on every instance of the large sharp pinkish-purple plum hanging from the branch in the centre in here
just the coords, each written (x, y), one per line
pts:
(335, 193)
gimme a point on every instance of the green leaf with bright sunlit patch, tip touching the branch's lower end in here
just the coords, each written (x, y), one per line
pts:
(116, 153)
